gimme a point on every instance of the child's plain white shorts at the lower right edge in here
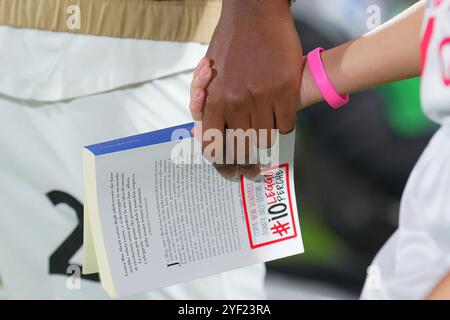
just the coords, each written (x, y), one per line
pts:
(417, 256)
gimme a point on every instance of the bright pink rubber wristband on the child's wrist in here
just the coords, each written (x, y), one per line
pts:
(323, 82)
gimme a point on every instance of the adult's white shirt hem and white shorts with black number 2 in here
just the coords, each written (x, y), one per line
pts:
(58, 93)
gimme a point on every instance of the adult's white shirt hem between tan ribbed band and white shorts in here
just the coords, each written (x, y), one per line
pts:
(52, 66)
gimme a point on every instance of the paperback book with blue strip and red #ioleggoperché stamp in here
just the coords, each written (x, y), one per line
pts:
(153, 219)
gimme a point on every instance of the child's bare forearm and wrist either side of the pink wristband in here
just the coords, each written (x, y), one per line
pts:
(389, 53)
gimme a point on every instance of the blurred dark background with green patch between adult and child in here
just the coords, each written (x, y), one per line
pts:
(351, 164)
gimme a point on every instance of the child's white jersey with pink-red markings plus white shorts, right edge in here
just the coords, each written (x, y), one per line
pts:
(417, 256)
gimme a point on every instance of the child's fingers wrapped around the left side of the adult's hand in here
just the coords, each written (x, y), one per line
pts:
(202, 76)
